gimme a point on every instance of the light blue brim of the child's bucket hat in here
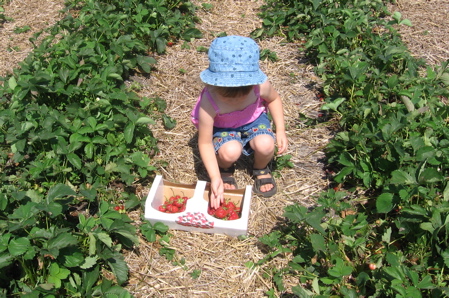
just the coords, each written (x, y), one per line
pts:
(233, 79)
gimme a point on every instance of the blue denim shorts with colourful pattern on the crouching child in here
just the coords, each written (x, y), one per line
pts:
(244, 134)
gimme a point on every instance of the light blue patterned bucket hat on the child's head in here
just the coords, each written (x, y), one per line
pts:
(233, 62)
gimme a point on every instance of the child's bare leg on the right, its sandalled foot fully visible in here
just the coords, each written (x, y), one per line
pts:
(263, 146)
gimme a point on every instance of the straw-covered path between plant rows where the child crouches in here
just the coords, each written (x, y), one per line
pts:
(220, 259)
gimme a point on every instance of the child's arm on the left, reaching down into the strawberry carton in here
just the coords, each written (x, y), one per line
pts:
(207, 152)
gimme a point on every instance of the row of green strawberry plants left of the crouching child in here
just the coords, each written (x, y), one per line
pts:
(71, 129)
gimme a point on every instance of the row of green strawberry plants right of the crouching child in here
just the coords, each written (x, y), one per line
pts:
(382, 230)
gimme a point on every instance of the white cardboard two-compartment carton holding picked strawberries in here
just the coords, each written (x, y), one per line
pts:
(195, 217)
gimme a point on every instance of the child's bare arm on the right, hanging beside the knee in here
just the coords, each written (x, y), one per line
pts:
(274, 104)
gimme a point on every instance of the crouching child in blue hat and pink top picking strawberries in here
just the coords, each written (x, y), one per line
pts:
(231, 116)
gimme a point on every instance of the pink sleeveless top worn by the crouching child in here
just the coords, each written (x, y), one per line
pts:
(234, 119)
